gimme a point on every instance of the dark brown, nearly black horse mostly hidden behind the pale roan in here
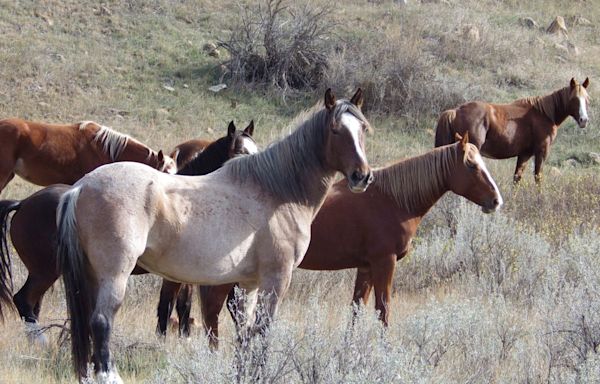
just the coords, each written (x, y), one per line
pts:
(33, 233)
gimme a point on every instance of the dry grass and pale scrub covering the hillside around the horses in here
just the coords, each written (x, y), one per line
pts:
(511, 297)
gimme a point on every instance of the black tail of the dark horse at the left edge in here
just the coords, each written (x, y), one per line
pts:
(6, 285)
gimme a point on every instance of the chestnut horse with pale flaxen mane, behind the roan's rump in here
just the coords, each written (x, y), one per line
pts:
(45, 154)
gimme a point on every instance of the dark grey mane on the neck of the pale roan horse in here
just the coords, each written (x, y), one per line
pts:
(283, 168)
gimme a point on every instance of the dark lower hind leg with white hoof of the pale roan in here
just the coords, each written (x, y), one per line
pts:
(110, 297)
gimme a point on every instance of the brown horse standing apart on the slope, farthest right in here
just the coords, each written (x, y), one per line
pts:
(524, 128)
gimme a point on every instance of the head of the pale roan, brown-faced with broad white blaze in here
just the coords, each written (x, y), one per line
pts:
(345, 150)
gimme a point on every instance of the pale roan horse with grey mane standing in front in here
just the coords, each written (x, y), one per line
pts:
(203, 229)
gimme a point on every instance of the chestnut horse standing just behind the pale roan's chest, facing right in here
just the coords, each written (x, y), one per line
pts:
(375, 229)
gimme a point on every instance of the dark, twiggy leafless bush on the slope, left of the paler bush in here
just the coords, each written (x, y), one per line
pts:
(280, 43)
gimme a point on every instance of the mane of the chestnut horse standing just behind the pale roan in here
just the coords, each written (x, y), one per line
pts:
(417, 181)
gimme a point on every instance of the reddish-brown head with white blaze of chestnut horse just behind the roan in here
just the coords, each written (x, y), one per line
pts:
(471, 179)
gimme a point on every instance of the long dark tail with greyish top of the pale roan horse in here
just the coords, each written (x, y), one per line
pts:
(73, 265)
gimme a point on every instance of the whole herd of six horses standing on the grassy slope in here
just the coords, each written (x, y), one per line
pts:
(235, 215)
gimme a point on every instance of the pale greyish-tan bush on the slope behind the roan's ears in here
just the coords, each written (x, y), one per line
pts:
(397, 74)
